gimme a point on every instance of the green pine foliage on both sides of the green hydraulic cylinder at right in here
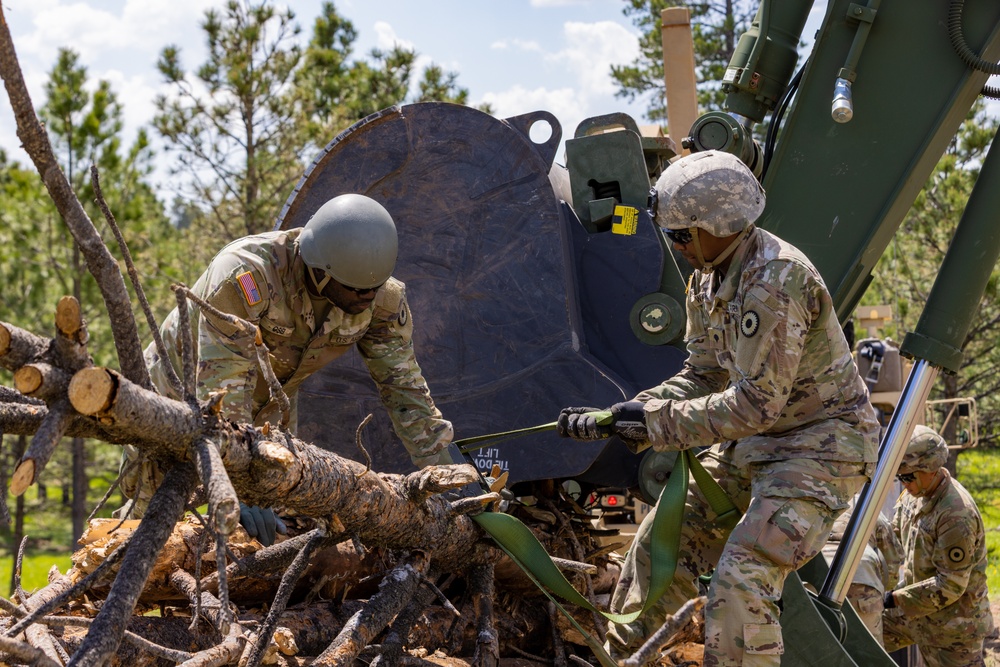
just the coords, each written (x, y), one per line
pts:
(905, 273)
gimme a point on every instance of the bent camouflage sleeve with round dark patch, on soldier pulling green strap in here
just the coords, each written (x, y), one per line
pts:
(777, 313)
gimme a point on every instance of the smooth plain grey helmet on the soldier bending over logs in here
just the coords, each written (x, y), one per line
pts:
(351, 238)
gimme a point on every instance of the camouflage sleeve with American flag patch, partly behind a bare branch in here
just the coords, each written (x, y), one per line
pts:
(227, 357)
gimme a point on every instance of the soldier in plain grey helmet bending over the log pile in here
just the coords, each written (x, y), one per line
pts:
(314, 292)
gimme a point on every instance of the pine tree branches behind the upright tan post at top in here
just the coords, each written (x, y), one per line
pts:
(716, 27)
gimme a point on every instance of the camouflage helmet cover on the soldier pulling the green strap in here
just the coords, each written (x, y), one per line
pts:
(710, 190)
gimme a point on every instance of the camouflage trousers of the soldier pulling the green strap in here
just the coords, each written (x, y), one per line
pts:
(789, 509)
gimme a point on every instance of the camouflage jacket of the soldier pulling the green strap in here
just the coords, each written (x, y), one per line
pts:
(769, 369)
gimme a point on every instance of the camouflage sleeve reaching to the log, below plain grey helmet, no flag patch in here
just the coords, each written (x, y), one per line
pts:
(387, 349)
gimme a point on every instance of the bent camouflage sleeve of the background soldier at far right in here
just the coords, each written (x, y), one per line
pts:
(952, 562)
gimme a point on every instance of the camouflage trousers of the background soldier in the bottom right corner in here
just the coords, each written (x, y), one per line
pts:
(957, 642)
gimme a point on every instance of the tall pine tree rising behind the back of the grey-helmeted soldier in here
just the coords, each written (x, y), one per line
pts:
(234, 123)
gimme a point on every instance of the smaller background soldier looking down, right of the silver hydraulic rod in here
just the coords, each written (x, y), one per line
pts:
(940, 603)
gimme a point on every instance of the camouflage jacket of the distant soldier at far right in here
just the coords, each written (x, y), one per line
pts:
(944, 566)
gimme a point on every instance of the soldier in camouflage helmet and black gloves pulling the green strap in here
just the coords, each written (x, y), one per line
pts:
(770, 388)
